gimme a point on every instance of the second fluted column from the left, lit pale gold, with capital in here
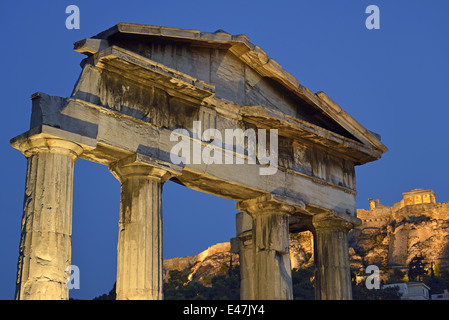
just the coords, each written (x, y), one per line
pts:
(139, 250)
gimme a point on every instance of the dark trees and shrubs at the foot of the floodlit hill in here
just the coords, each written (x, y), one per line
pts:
(226, 284)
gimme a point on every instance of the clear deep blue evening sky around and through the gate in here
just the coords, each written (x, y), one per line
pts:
(393, 81)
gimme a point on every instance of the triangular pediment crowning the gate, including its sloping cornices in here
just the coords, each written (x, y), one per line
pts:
(238, 71)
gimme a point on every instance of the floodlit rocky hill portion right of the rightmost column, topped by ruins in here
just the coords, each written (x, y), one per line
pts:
(417, 225)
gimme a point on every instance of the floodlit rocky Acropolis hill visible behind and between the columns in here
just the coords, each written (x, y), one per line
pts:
(416, 225)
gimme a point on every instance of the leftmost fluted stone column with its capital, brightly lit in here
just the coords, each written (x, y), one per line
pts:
(45, 245)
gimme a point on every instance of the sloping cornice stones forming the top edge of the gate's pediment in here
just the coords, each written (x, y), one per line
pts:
(254, 57)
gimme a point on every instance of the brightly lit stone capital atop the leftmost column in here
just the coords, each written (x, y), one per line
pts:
(40, 143)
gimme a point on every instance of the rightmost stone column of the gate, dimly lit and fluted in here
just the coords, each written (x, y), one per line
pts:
(332, 269)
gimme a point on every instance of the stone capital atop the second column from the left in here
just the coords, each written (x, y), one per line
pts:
(143, 167)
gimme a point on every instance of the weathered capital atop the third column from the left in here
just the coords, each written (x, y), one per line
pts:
(266, 204)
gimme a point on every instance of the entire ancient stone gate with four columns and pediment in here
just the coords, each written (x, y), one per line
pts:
(153, 104)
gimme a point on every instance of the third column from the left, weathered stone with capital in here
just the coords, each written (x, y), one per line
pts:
(270, 263)
